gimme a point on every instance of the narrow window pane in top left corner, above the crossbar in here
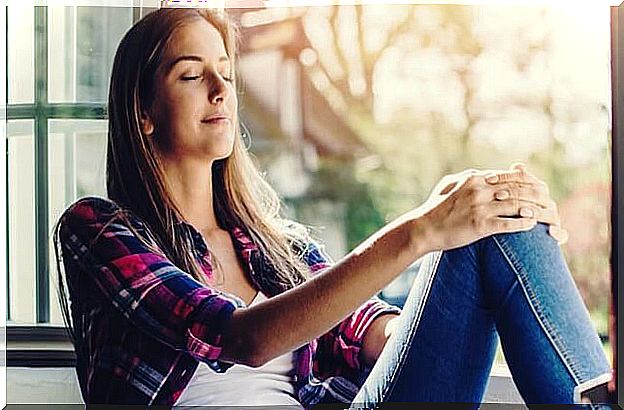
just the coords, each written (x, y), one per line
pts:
(21, 34)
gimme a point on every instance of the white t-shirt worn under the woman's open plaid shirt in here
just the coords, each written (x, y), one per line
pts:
(271, 384)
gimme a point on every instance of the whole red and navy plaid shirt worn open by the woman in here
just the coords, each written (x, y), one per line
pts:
(142, 325)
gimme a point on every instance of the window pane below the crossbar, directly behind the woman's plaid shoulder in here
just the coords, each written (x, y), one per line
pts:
(77, 153)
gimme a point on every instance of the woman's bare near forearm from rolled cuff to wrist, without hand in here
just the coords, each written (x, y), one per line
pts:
(293, 318)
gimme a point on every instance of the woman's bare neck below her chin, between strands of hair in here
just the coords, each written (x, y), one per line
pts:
(190, 183)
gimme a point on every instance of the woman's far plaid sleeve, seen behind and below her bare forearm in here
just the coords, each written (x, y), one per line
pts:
(337, 351)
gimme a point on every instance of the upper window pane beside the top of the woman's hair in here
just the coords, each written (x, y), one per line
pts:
(84, 40)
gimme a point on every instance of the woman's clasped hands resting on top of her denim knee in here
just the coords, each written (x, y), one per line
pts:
(466, 207)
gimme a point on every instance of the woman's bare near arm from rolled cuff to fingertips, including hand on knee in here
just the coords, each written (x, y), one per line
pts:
(470, 211)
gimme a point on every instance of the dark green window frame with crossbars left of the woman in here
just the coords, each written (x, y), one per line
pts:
(41, 111)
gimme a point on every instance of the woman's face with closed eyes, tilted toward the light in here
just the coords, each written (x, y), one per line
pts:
(195, 104)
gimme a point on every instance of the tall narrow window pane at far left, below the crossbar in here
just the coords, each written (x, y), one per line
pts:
(21, 210)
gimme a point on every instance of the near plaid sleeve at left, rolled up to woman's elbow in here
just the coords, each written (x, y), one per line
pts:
(141, 283)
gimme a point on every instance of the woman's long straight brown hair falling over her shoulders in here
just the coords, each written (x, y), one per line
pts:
(135, 178)
